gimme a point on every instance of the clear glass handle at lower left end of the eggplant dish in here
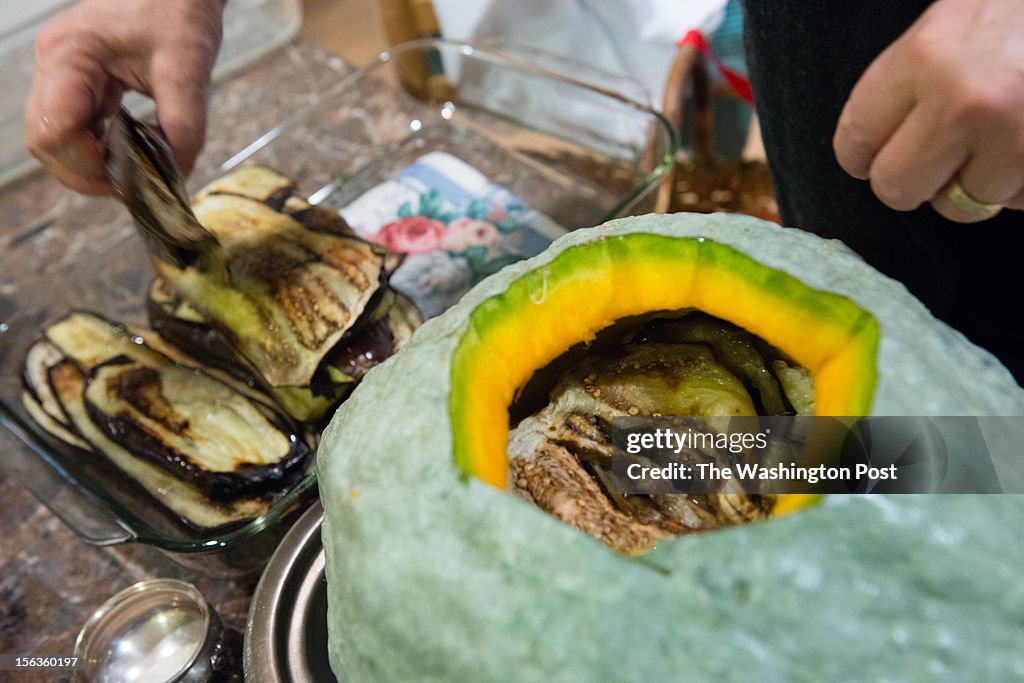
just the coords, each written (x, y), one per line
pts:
(92, 522)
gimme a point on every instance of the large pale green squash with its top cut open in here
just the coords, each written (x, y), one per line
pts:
(435, 573)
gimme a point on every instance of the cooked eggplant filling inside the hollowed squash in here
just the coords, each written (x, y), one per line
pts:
(687, 364)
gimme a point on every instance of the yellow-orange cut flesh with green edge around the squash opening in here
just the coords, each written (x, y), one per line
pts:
(589, 287)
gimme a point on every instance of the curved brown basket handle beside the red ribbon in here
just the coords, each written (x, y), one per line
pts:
(690, 66)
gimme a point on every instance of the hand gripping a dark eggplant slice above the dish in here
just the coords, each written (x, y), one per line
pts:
(89, 56)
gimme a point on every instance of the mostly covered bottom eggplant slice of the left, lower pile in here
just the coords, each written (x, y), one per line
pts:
(183, 498)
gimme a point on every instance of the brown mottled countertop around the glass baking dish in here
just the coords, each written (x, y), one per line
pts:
(51, 581)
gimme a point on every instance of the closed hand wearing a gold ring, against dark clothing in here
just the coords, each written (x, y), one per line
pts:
(945, 104)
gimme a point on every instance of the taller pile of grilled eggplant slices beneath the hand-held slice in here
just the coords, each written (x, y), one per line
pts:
(290, 300)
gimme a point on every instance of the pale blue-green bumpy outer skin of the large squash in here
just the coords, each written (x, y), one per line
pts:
(437, 576)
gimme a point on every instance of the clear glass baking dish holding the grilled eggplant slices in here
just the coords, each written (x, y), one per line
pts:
(577, 155)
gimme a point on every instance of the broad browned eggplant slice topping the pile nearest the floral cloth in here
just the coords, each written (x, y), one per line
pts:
(282, 295)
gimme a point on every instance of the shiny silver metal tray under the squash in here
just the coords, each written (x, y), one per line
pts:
(286, 636)
